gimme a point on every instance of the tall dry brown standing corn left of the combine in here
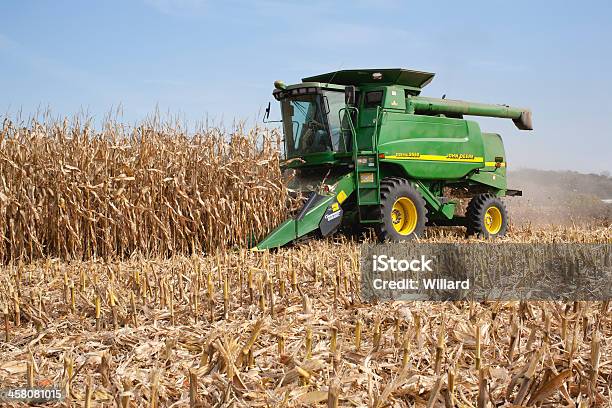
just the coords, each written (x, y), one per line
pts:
(70, 191)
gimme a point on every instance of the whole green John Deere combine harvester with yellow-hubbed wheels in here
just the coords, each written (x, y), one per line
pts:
(368, 151)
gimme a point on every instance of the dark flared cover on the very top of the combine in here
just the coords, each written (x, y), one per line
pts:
(388, 76)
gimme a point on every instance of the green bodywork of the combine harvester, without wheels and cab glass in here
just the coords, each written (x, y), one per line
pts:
(394, 132)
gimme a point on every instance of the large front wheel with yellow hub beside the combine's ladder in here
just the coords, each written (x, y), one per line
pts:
(391, 190)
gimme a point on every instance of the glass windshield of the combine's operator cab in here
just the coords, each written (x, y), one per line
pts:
(311, 123)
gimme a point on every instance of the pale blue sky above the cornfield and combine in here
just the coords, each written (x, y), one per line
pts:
(199, 58)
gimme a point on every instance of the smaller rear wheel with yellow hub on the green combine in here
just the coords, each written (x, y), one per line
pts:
(481, 216)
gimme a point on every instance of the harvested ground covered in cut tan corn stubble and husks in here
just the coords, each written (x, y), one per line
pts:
(288, 329)
